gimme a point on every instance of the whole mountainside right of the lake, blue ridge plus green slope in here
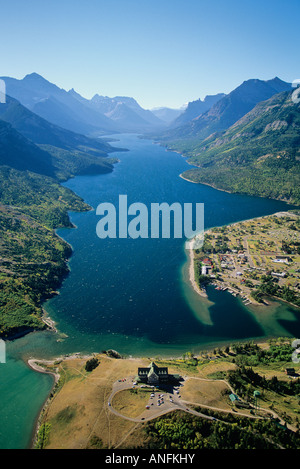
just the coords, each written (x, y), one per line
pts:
(247, 142)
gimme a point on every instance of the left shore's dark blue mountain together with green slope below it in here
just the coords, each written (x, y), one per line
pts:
(33, 260)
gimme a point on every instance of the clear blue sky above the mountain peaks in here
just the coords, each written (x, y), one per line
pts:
(161, 52)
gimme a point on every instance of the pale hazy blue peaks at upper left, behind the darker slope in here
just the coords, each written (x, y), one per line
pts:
(68, 109)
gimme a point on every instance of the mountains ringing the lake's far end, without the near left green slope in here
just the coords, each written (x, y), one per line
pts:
(204, 131)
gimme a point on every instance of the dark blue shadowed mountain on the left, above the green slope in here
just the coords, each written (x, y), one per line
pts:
(30, 143)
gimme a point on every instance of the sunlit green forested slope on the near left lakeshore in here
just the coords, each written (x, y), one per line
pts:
(33, 259)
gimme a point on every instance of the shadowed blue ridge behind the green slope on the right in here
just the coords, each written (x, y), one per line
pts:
(228, 110)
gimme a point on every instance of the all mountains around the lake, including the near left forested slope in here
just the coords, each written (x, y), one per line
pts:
(246, 141)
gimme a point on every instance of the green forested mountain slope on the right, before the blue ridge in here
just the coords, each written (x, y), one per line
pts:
(258, 155)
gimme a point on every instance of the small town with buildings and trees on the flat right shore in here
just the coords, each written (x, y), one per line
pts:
(253, 259)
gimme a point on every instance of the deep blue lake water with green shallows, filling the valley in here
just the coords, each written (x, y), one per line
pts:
(133, 295)
